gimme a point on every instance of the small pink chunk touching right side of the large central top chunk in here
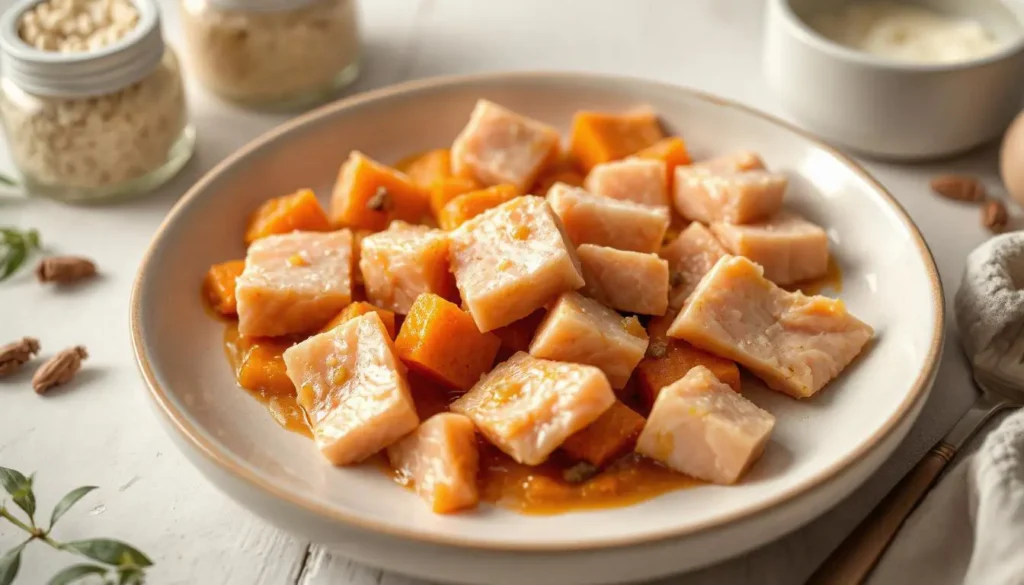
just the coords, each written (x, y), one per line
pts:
(627, 281)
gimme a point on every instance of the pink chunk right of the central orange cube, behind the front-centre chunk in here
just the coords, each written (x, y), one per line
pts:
(581, 330)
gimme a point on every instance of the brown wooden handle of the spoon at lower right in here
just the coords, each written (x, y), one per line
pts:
(858, 556)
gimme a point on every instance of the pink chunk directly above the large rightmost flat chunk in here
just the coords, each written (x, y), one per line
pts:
(790, 248)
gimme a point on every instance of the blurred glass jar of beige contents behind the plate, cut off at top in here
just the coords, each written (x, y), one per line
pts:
(273, 54)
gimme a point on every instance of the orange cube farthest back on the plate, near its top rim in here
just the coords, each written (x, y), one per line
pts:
(600, 137)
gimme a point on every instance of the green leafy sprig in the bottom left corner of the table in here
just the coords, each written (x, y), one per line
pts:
(115, 562)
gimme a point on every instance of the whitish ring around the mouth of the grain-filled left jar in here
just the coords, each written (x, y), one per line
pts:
(86, 74)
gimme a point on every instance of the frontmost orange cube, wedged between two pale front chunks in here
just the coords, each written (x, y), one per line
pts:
(613, 435)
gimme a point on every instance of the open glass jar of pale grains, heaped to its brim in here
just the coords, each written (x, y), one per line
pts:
(92, 100)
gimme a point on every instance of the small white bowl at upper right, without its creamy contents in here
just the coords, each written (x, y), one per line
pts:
(888, 109)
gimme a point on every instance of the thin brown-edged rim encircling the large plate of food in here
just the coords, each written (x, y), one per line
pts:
(225, 462)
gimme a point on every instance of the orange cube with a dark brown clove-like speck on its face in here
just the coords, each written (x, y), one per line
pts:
(369, 195)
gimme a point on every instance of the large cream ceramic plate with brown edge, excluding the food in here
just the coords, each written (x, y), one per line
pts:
(824, 448)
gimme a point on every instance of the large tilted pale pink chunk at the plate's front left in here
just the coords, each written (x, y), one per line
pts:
(354, 389)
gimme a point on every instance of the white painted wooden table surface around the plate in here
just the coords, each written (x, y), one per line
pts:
(103, 432)
